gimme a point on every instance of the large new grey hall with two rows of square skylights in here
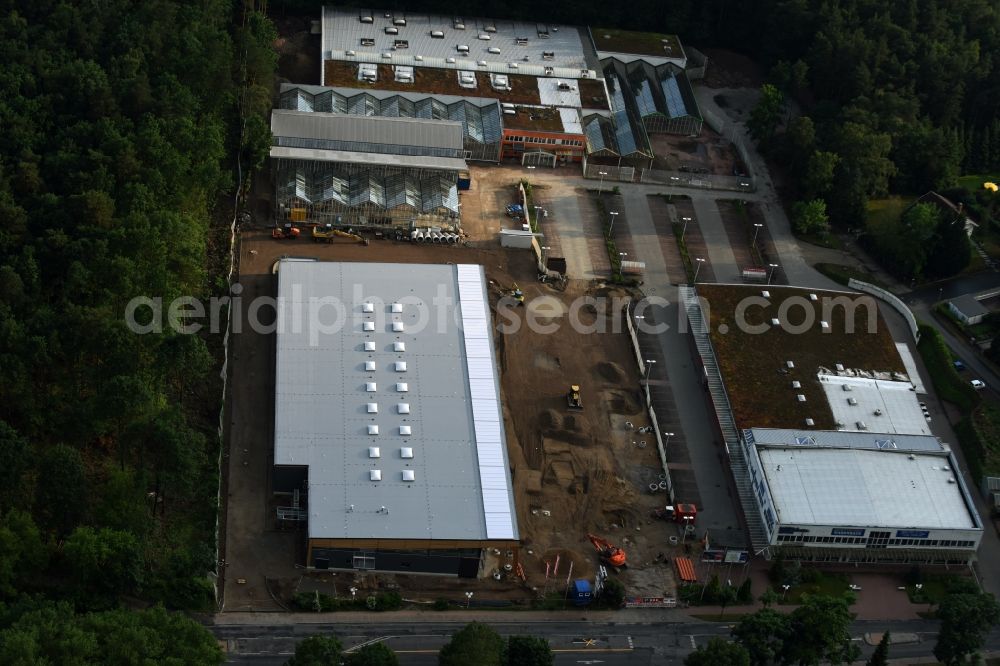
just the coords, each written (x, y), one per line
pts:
(388, 421)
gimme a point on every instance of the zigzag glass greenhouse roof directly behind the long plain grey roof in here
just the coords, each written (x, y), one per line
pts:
(480, 117)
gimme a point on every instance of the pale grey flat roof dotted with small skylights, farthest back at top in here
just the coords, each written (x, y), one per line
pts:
(343, 32)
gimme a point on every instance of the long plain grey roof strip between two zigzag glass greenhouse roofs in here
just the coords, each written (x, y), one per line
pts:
(413, 132)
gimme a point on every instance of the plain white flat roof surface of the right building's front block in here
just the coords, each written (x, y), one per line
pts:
(866, 488)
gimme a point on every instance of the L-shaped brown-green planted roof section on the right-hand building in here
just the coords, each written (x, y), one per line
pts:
(754, 366)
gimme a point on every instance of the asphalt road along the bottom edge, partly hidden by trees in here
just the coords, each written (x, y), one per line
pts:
(604, 643)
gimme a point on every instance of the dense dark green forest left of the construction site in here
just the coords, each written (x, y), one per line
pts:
(120, 129)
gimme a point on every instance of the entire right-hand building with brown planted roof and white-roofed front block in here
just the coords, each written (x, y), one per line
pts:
(831, 450)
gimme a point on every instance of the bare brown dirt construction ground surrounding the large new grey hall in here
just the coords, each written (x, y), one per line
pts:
(574, 472)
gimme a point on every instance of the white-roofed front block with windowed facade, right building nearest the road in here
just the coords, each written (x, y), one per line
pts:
(833, 496)
